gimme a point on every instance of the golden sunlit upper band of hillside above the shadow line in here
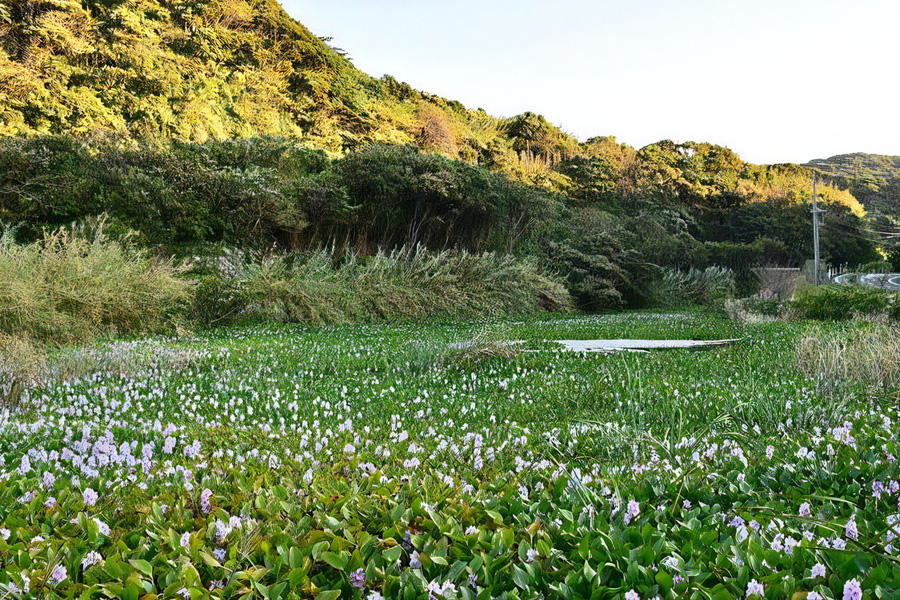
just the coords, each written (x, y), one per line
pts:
(219, 69)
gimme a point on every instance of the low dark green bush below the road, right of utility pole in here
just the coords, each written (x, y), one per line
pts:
(840, 302)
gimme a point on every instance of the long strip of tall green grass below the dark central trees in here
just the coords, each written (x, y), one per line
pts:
(405, 283)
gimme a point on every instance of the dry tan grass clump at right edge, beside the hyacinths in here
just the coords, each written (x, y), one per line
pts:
(864, 353)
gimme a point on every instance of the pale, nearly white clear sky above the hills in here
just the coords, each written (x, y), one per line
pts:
(775, 81)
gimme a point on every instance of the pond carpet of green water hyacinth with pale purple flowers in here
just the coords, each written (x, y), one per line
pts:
(377, 460)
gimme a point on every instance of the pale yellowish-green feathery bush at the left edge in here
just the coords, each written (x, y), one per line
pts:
(66, 288)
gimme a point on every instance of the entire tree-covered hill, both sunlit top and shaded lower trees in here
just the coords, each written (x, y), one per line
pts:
(226, 121)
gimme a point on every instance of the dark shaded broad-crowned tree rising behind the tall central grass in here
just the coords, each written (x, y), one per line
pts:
(406, 197)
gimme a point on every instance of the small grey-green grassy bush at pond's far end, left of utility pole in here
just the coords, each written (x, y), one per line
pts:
(694, 286)
